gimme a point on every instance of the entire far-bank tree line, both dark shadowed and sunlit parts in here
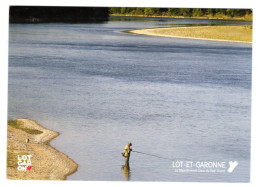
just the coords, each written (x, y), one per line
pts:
(39, 14)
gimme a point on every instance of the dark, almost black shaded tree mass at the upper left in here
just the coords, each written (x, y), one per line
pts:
(39, 14)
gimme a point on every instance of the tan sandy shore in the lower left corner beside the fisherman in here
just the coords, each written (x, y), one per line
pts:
(47, 163)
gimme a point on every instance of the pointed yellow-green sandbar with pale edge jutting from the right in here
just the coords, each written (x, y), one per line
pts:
(241, 33)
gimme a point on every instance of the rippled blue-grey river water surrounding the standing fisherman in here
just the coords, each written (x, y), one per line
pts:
(184, 99)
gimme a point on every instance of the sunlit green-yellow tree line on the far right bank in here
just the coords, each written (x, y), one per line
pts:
(184, 12)
